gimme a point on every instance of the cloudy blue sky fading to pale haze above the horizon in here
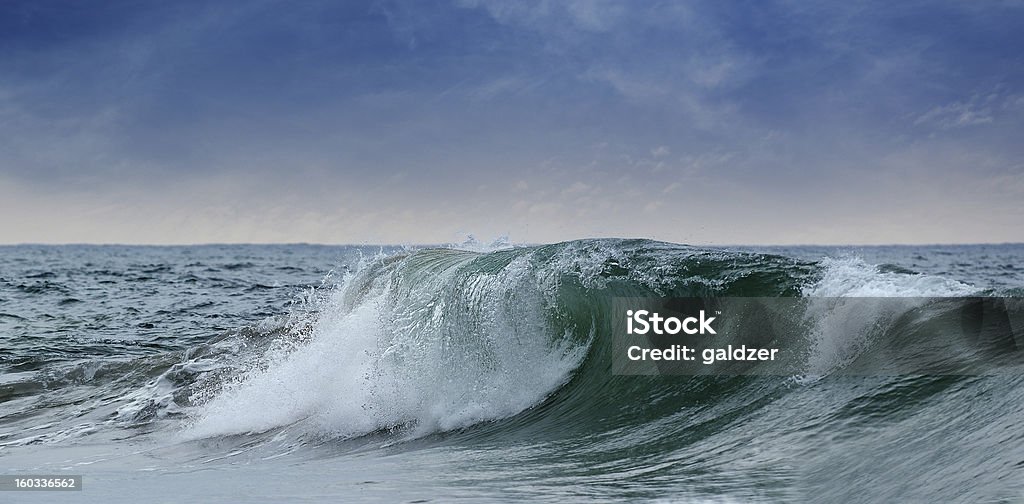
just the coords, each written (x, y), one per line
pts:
(703, 122)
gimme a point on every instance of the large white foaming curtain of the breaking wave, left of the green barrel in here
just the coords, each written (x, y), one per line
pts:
(414, 343)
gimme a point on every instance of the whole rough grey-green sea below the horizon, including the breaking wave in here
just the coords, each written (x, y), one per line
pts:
(309, 373)
